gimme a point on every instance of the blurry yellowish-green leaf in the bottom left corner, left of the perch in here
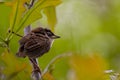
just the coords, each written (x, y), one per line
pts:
(14, 69)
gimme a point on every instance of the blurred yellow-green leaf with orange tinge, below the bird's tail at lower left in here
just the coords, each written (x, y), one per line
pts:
(13, 66)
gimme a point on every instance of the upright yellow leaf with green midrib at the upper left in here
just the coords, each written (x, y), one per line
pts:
(17, 11)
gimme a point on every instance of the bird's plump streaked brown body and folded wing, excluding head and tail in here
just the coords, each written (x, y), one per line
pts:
(36, 46)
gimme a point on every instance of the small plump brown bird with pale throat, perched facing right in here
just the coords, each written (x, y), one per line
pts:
(35, 44)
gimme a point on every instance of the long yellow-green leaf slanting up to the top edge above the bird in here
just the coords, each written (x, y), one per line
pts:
(34, 13)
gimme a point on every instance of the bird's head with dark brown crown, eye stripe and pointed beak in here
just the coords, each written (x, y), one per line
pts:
(45, 31)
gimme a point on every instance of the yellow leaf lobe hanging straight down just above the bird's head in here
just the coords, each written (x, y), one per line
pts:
(51, 16)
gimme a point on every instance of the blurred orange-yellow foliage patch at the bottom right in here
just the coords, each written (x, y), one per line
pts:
(88, 67)
